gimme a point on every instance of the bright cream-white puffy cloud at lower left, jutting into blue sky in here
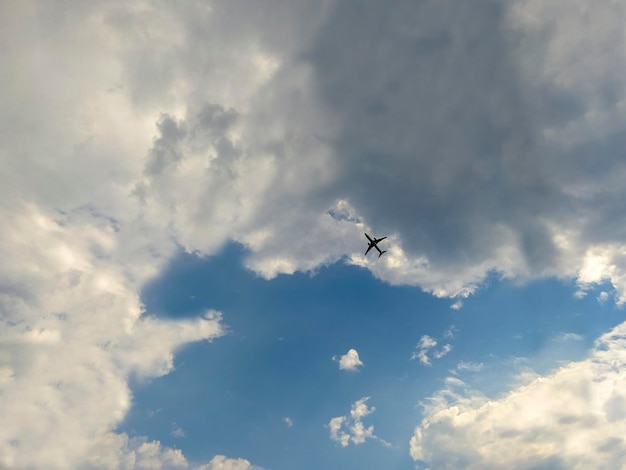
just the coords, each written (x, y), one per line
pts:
(73, 333)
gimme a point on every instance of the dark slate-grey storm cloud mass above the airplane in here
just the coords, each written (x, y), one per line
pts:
(435, 141)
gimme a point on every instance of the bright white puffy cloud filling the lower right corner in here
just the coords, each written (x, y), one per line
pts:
(574, 417)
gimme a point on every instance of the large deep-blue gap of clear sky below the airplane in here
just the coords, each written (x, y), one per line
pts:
(232, 396)
